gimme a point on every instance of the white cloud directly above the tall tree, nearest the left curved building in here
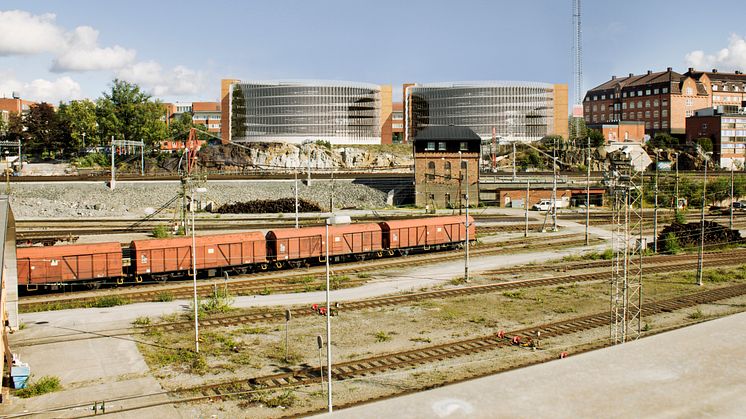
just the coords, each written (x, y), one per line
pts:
(177, 81)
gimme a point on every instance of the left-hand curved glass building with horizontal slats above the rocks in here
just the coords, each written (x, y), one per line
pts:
(294, 111)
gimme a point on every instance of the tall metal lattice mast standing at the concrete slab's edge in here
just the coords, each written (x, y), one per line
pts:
(626, 190)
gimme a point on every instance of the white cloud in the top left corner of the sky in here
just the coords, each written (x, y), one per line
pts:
(24, 33)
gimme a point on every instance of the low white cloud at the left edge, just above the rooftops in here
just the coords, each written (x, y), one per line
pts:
(62, 89)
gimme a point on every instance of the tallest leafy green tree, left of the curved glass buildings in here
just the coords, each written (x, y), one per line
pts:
(128, 113)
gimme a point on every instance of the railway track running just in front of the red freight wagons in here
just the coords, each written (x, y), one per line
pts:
(287, 281)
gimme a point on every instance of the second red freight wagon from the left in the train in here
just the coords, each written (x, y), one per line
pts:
(154, 257)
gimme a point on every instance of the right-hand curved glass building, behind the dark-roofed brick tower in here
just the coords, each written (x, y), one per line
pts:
(522, 111)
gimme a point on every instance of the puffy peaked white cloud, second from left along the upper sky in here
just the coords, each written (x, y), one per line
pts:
(82, 53)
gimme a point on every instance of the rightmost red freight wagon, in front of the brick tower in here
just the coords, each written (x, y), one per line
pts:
(425, 232)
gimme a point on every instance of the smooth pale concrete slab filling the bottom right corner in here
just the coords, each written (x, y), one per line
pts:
(699, 371)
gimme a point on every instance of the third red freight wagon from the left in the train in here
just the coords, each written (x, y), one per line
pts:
(293, 244)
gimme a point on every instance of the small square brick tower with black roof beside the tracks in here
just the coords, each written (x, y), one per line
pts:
(442, 157)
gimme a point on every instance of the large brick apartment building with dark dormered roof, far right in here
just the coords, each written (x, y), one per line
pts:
(661, 100)
